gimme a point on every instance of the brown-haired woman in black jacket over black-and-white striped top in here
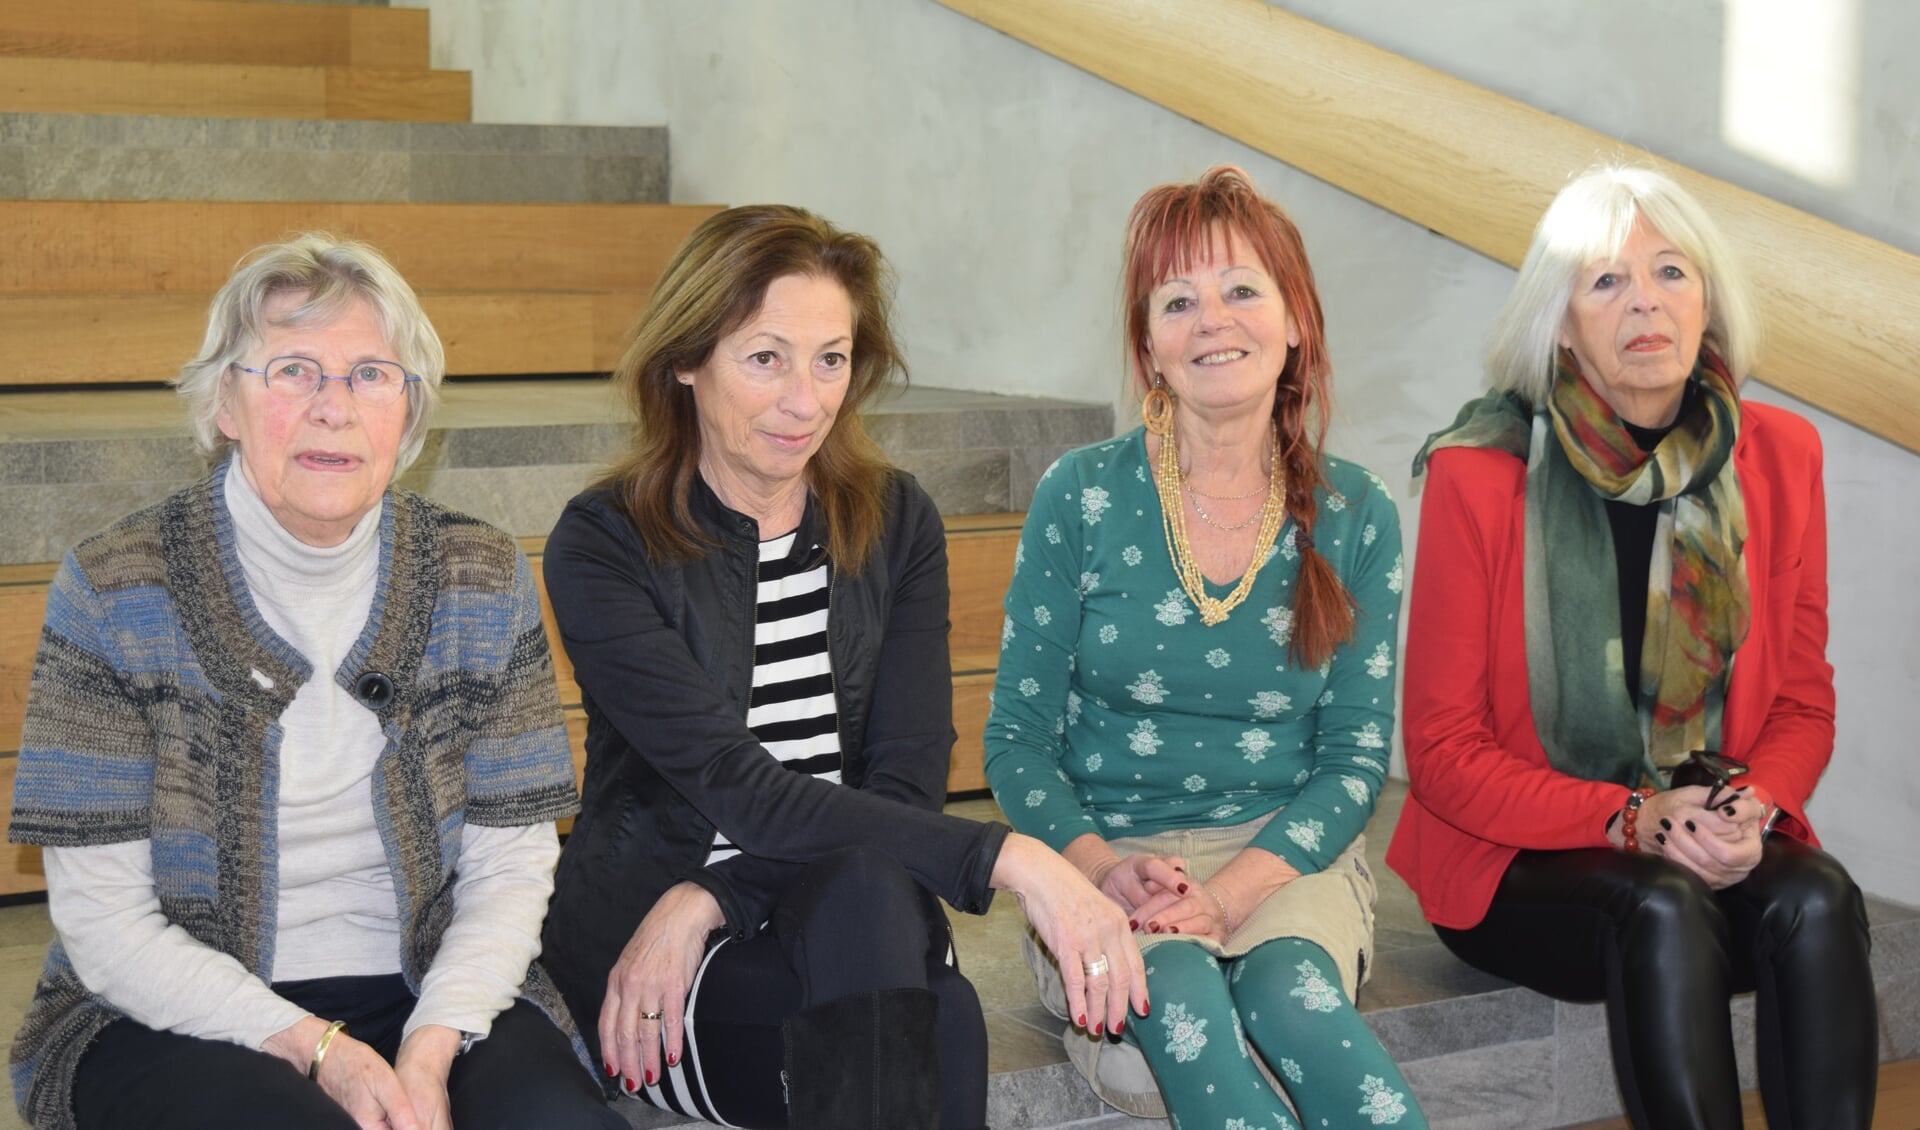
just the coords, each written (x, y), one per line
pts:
(756, 605)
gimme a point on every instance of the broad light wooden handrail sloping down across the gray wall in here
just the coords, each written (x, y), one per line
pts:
(1842, 312)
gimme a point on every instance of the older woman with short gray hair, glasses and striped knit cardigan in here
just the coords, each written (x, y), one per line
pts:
(295, 753)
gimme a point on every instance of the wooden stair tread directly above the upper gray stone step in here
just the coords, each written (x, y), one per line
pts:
(41, 85)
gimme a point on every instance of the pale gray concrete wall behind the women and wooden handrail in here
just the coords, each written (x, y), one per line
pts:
(999, 179)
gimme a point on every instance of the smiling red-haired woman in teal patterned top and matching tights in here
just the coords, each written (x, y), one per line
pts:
(1197, 684)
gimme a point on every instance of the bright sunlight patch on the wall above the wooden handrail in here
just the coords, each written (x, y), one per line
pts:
(1792, 85)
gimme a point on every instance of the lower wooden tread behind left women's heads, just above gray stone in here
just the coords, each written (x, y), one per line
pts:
(147, 337)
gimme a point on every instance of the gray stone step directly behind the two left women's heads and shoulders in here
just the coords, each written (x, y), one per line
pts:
(510, 452)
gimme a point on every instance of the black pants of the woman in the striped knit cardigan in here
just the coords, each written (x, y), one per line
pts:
(521, 1077)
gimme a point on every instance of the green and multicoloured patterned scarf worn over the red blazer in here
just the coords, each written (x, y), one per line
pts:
(1579, 458)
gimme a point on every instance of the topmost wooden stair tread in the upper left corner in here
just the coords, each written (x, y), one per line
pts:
(218, 32)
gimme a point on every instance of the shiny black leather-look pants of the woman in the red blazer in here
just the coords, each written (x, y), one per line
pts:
(1666, 953)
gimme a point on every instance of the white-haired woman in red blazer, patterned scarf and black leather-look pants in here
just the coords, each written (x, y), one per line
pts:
(1618, 697)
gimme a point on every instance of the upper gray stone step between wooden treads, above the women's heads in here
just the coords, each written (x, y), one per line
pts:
(78, 156)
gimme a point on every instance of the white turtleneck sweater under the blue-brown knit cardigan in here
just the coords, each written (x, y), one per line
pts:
(337, 912)
